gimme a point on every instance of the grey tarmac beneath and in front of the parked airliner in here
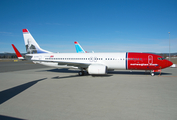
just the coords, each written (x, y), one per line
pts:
(35, 92)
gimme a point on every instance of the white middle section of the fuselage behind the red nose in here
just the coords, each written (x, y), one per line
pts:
(111, 60)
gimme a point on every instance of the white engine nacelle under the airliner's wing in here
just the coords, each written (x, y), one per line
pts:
(97, 69)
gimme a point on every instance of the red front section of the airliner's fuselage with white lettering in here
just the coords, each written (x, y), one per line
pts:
(145, 61)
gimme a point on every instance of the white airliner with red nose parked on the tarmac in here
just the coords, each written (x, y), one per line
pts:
(96, 63)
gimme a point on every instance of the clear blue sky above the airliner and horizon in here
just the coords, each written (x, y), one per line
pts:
(98, 25)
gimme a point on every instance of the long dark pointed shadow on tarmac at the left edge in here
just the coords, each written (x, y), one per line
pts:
(10, 93)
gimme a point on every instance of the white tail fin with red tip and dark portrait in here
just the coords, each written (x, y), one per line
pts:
(31, 45)
